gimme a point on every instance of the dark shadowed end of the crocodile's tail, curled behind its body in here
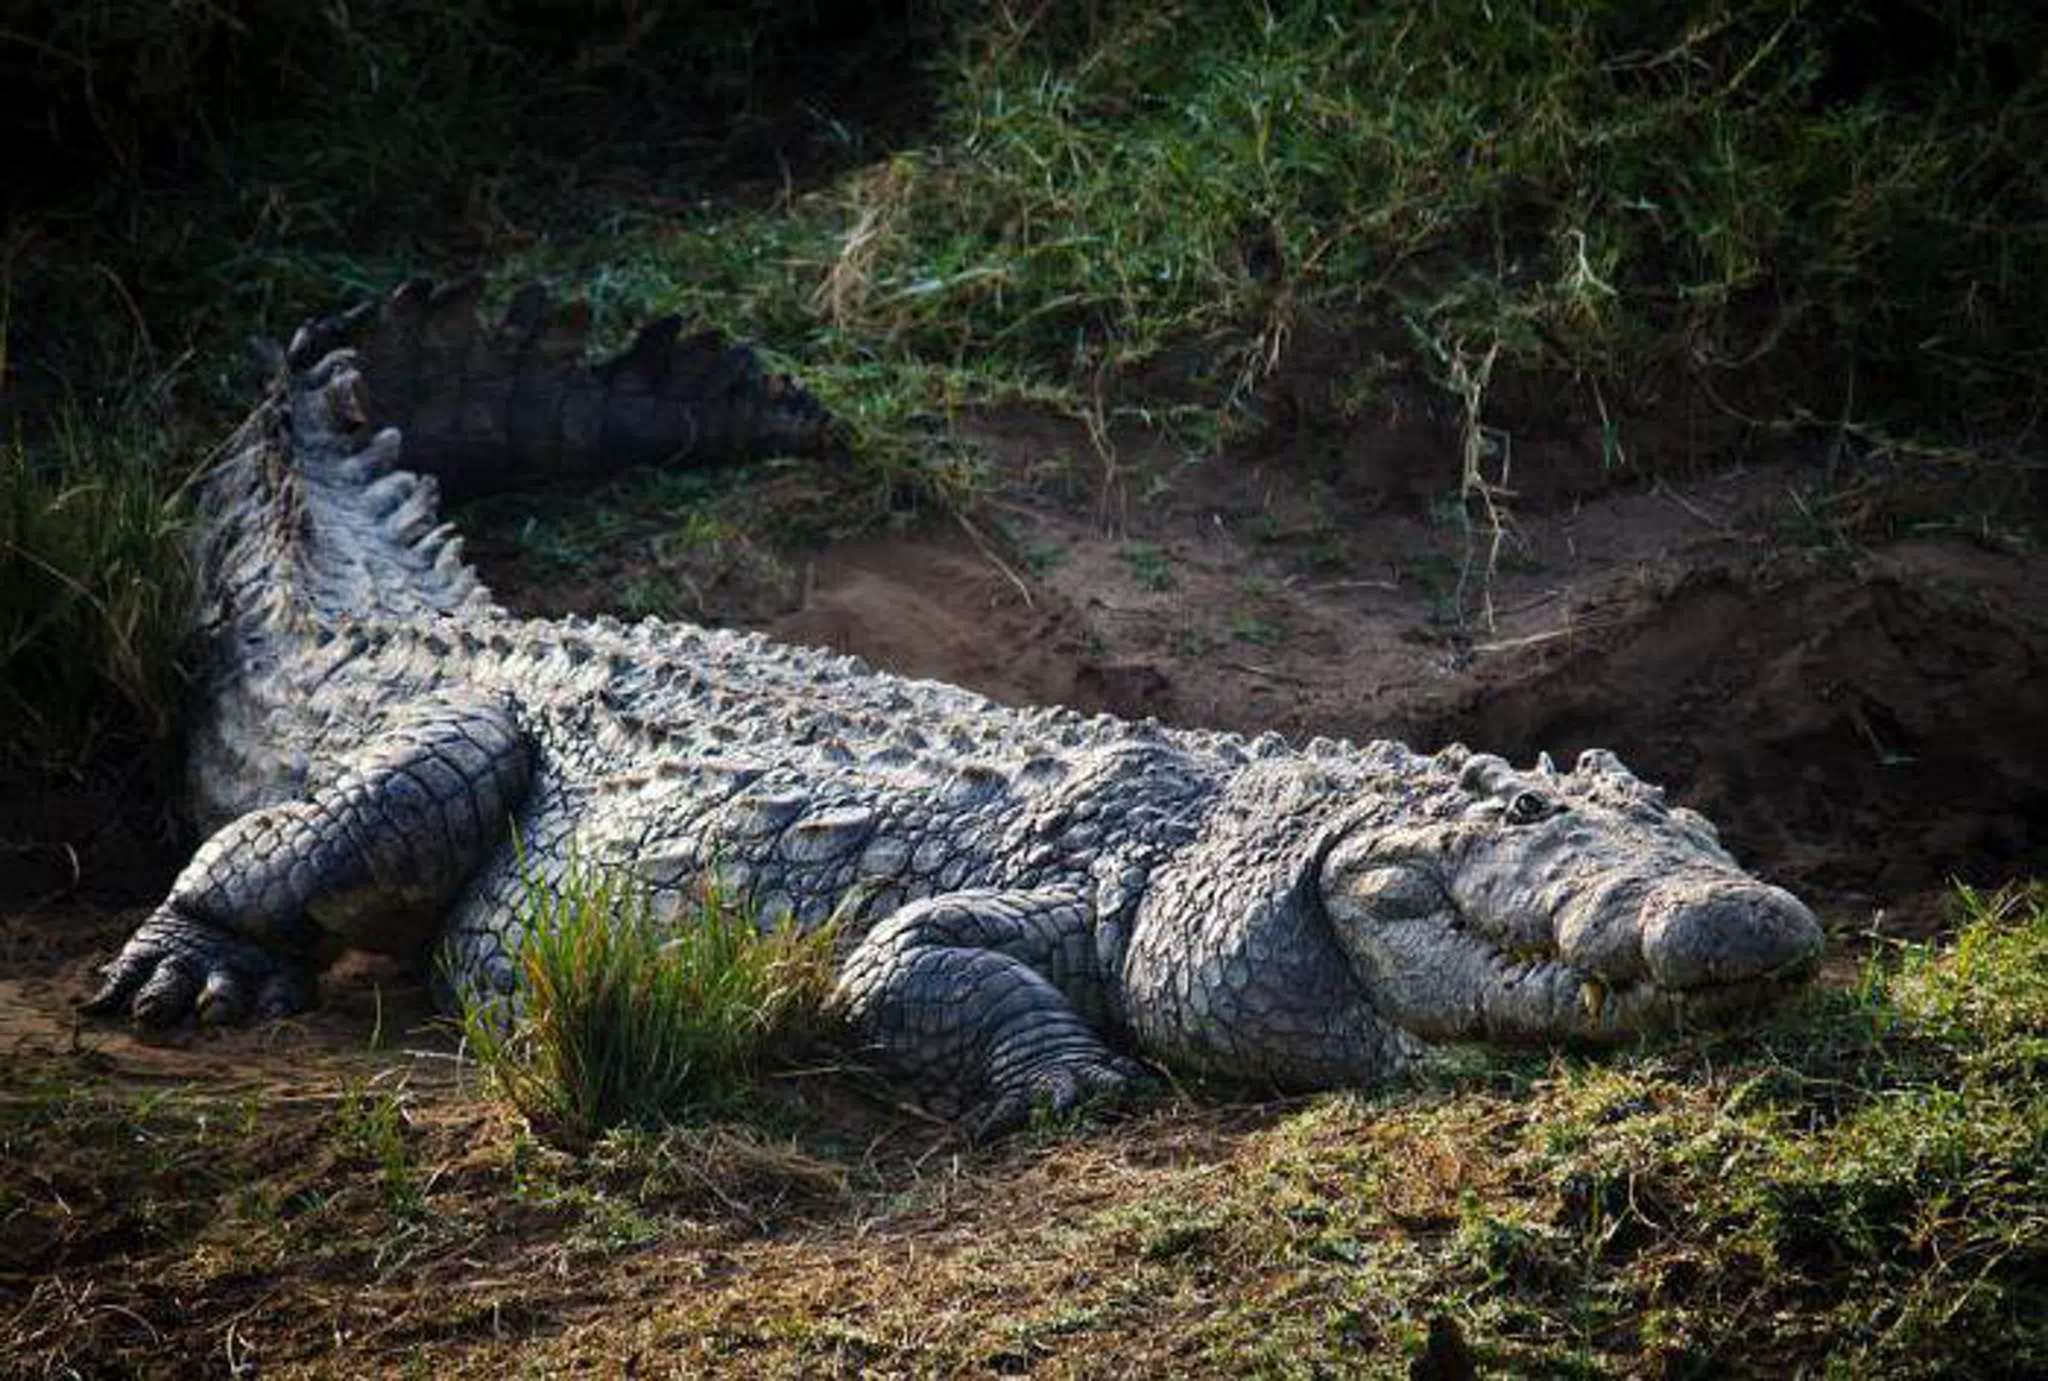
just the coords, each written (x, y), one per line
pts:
(488, 409)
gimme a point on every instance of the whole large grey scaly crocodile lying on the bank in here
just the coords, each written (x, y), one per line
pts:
(1033, 907)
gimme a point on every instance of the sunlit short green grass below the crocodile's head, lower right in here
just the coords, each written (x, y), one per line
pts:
(1857, 1189)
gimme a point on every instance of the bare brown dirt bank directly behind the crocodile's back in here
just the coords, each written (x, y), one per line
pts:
(1863, 718)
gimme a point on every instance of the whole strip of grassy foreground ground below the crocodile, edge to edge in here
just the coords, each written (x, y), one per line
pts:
(1859, 1189)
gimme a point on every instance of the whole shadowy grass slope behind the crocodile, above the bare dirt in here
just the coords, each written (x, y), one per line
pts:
(1770, 214)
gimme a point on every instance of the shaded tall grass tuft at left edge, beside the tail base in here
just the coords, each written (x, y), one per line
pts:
(95, 595)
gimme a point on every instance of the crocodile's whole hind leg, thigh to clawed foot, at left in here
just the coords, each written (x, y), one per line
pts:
(368, 862)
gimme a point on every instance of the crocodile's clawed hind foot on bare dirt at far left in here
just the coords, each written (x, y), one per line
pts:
(175, 968)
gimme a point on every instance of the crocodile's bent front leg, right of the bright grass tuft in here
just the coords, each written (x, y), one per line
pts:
(976, 1001)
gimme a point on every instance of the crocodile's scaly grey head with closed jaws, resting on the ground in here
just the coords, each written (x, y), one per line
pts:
(1555, 907)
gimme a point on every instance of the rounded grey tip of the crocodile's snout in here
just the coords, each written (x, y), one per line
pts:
(1713, 933)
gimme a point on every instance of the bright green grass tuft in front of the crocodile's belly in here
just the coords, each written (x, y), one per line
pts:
(632, 1019)
